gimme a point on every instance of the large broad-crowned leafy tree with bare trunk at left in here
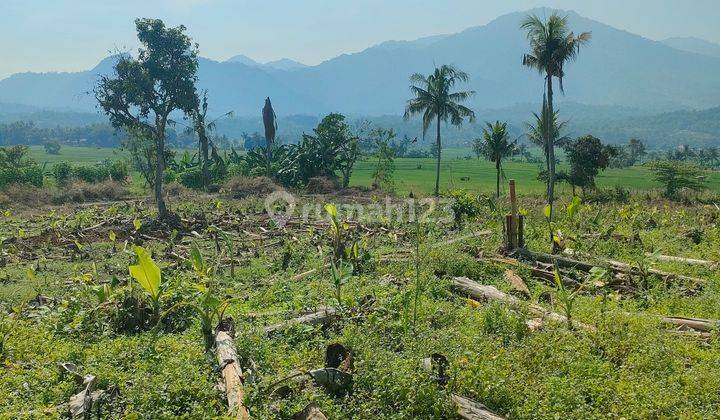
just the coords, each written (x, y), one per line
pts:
(143, 92)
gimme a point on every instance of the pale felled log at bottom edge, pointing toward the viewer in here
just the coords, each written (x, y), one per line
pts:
(232, 374)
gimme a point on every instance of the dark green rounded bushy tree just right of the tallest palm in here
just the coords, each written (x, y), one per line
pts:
(587, 157)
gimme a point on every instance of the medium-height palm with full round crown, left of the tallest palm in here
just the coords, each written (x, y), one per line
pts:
(435, 101)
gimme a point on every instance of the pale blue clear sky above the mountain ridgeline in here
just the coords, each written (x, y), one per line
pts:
(74, 35)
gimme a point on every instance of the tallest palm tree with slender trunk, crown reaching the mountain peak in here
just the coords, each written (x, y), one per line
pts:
(552, 45)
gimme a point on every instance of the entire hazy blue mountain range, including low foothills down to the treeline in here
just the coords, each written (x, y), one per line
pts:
(619, 84)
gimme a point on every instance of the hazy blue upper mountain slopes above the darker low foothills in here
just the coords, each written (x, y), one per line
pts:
(617, 69)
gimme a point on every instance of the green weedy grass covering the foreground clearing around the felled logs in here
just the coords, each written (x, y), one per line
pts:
(628, 366)
